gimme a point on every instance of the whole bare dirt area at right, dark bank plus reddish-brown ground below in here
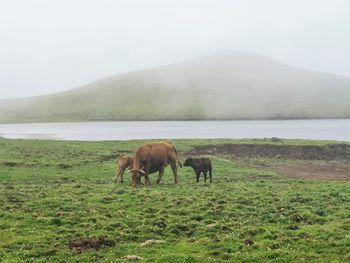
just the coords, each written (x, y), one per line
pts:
(324, 162)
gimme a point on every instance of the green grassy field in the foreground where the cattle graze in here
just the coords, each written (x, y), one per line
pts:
(58, 203)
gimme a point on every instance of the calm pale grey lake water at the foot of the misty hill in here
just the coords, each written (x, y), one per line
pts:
(338, 129)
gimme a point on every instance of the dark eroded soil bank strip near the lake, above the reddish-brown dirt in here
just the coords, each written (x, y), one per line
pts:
(297, 152)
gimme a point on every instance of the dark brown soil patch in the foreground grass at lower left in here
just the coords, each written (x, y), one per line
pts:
(82, 244)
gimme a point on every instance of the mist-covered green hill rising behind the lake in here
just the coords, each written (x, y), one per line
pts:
(226, 85)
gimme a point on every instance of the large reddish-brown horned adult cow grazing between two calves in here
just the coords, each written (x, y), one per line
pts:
(154, 157)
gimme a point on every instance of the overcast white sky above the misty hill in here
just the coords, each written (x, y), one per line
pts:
(48, 46)
